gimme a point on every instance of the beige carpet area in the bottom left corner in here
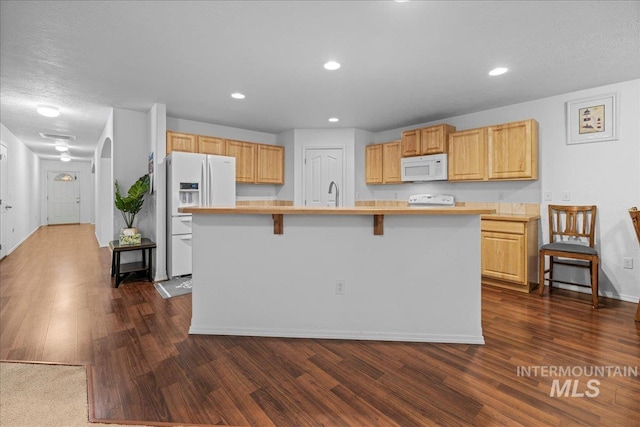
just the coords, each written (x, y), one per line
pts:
(44, 395)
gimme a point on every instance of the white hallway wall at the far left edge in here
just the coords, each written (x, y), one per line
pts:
(23, 190)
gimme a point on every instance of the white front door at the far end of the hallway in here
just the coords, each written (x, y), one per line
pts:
(63, 198)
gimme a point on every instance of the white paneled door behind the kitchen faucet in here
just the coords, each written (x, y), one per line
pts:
(321, 166)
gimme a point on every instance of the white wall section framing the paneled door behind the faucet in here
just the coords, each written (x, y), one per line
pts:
(325, 138)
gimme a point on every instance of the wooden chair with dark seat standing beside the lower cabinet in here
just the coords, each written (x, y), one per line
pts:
(572, 237)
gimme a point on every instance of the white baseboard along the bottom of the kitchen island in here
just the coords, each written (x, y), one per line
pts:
(346, 335)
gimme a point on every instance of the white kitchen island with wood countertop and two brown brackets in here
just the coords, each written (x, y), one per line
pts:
(408, 274)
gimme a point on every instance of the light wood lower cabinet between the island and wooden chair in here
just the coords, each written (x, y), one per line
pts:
(510, 251)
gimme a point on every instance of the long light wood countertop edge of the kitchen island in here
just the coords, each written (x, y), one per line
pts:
(293, 210)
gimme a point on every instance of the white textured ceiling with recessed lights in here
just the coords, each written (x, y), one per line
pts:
(402, 63)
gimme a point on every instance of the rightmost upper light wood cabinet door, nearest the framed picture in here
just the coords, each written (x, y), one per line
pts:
(513, 150)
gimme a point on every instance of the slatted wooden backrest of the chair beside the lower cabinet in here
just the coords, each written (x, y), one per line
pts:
(572, 223)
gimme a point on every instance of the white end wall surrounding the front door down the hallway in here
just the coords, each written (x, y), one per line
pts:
(85, 179)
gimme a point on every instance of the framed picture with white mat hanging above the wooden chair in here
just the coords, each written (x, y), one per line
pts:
(592, 119)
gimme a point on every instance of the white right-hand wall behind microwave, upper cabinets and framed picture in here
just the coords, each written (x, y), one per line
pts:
(605, 174)
